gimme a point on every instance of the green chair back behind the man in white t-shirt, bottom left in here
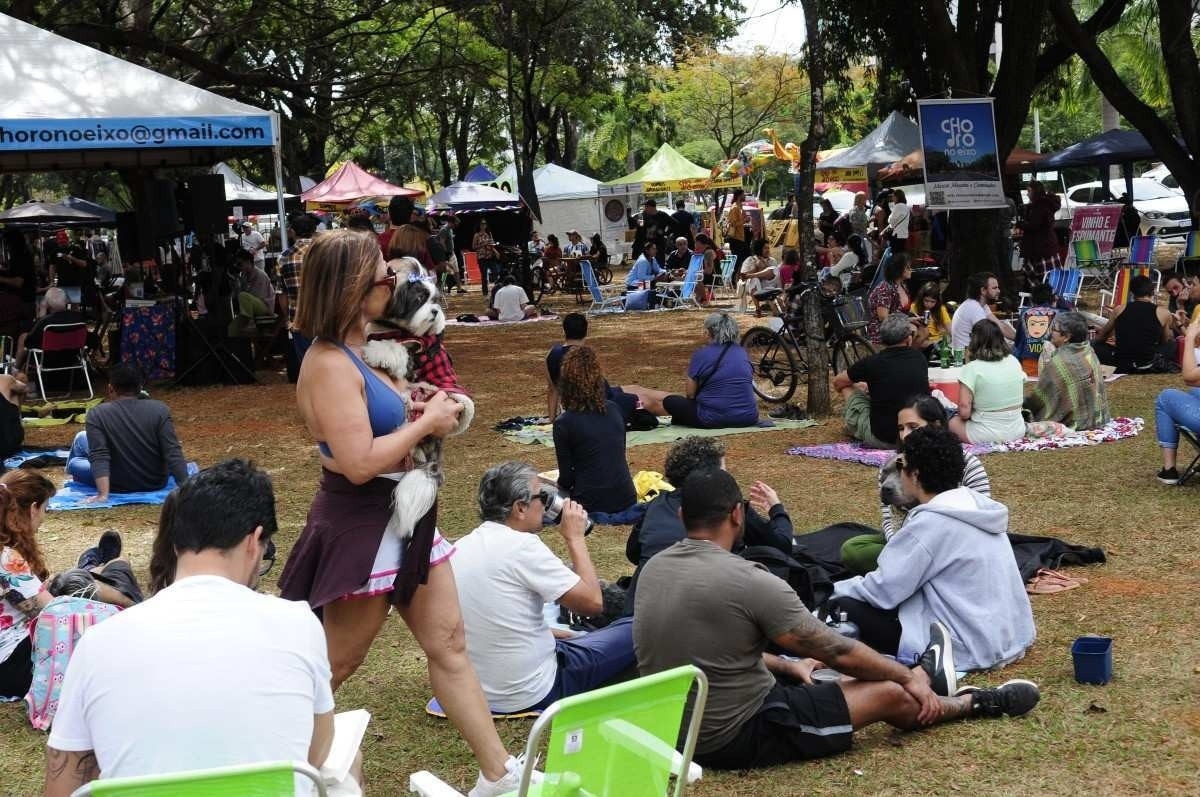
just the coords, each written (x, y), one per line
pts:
(267, 780)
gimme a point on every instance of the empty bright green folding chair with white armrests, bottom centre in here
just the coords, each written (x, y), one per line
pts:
(614, 742)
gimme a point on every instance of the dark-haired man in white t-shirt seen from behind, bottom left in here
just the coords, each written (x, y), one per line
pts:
(208, 673)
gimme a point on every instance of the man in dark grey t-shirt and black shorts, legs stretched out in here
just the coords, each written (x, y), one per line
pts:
(764, 710)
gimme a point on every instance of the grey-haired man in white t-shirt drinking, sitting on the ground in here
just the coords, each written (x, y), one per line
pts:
(506, 576)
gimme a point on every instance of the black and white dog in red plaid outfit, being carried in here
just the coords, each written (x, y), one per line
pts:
(406, 344)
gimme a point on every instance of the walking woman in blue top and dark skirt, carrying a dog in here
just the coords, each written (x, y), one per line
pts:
(346, 565)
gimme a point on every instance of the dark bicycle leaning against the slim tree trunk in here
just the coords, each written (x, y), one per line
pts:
(779, 357)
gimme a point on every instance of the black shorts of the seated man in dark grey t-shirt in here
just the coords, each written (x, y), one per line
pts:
(795, 723)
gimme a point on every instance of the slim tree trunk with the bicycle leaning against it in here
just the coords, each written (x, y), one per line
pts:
(819, 405)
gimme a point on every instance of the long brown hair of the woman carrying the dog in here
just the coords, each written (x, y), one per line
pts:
(339, 272)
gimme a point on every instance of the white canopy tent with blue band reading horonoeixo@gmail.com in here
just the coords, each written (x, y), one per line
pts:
(67, 106)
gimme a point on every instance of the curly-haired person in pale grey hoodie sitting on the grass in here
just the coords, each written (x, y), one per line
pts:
(952, 564)
